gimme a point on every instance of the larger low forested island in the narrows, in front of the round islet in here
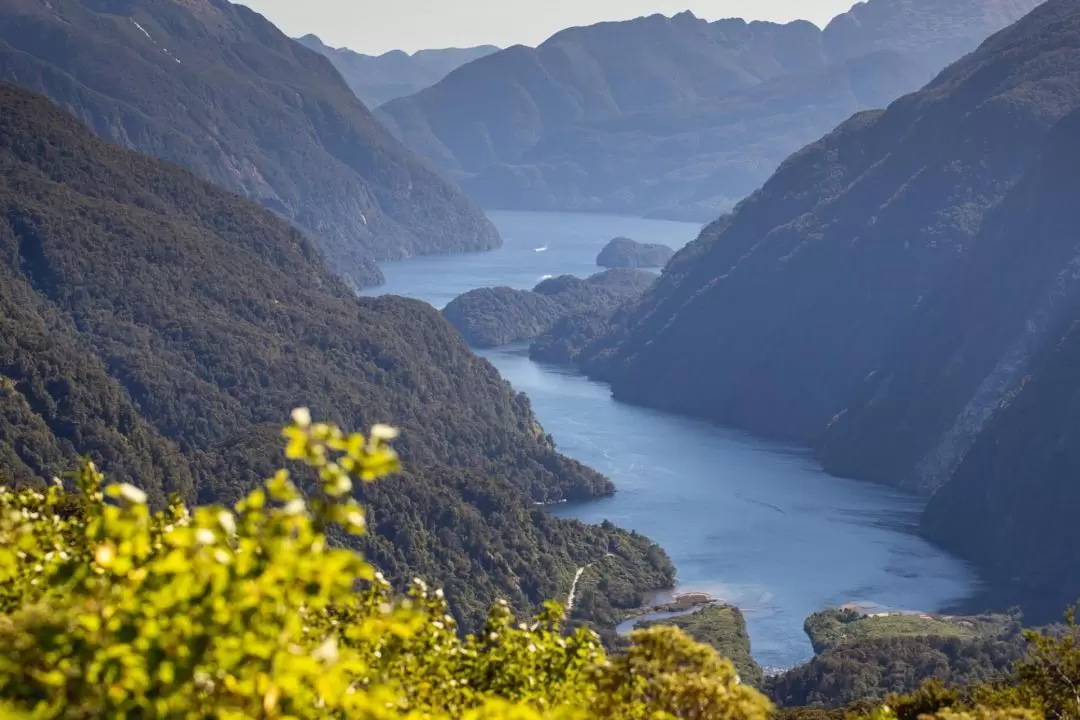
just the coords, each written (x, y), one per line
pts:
(493, 317)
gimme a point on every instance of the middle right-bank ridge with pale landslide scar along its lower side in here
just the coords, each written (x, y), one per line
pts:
(971, 344)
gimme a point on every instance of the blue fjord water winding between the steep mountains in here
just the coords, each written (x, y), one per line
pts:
(753, 523)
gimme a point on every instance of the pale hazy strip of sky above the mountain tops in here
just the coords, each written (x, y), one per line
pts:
(376, 26)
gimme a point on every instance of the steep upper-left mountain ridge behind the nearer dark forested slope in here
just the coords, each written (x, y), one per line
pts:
(218, 89)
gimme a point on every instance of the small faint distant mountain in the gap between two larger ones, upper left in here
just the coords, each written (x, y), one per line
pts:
(379, 79)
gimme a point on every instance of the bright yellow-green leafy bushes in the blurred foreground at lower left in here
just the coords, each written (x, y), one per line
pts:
(109, 609)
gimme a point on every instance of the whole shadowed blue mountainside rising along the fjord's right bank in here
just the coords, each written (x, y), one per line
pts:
(903, 295)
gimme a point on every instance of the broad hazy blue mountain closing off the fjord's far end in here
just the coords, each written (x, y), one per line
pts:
(676, 117)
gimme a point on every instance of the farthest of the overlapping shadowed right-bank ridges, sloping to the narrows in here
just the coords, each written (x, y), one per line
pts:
(776, 315)
